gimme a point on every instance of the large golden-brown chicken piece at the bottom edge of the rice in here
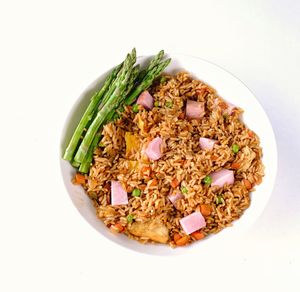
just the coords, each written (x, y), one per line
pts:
(153, 229)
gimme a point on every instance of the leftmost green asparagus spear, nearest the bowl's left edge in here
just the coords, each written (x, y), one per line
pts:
(88, 115)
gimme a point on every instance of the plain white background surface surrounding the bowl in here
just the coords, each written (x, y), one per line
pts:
(50, 51)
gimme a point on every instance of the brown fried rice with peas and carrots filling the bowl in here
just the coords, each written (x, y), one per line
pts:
(183, 165)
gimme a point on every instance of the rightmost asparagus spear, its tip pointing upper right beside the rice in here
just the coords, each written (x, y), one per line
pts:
(147, 81)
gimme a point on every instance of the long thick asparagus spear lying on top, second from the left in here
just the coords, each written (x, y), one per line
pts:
(120, 86)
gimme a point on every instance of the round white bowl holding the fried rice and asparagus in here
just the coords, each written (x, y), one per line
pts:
(232, 90)
